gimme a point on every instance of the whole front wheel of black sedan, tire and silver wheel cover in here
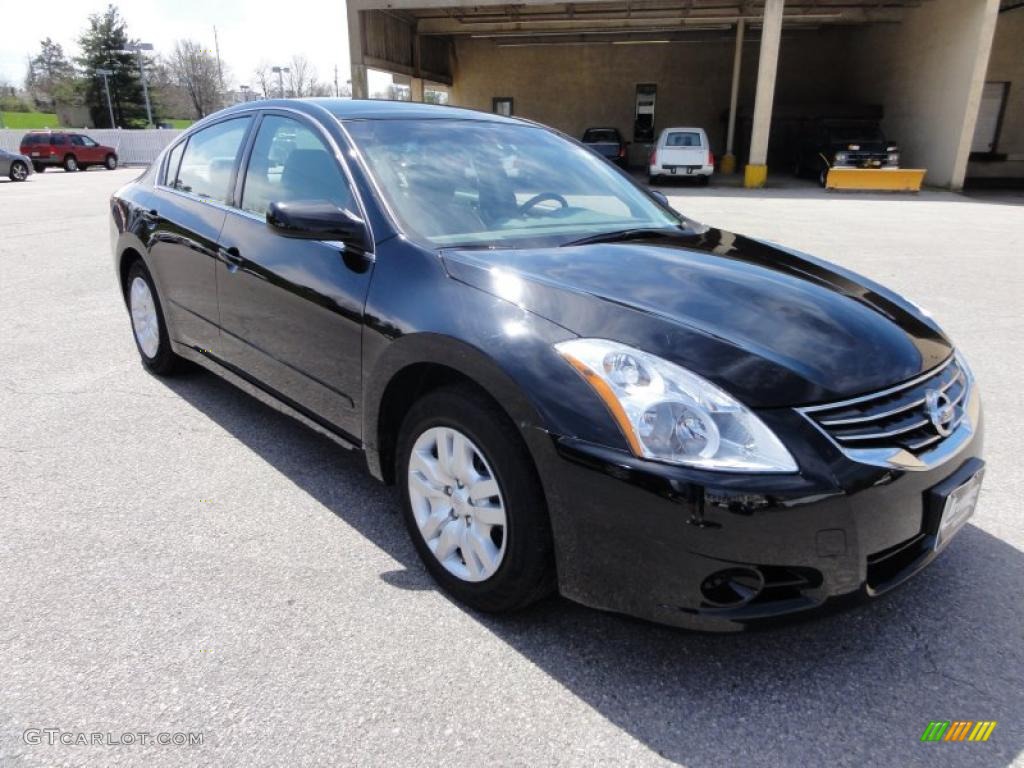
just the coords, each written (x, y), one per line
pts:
(473, 502)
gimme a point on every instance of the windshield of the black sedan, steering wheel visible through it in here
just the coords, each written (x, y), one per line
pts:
(461, 183)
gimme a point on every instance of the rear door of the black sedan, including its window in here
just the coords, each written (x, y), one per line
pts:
(187, 214)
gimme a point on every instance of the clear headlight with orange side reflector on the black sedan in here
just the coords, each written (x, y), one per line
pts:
(668, 414)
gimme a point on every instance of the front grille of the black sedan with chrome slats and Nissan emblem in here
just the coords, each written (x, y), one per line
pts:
(914, 417)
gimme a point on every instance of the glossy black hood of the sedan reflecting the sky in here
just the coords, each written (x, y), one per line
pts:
(772, 326)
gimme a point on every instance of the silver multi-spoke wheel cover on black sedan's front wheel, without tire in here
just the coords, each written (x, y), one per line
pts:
(457, 504)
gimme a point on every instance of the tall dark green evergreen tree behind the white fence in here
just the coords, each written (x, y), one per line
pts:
(106, 35)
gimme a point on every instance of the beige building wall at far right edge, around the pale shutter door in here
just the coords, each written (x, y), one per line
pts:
(1007, 66)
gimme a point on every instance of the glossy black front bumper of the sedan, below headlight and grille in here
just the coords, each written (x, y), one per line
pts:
(647, 539)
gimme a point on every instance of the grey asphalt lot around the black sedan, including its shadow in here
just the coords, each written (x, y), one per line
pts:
(178, 559)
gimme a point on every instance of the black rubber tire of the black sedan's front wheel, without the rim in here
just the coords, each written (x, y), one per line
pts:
(527, 573)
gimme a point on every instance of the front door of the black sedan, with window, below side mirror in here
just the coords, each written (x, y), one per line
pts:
(291, 310)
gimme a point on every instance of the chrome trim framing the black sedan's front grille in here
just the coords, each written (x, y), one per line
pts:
(899, 458)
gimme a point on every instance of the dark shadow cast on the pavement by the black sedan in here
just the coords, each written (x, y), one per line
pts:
(846, 689)
